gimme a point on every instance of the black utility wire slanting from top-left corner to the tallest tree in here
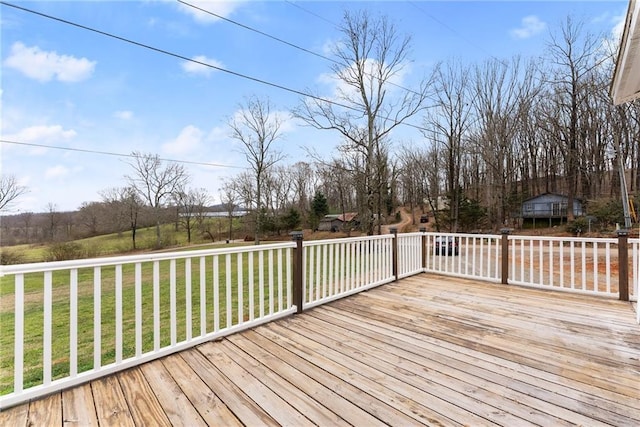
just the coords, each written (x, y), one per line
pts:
(184, 58)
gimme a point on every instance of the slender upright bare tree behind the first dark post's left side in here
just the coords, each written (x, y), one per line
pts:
(257, 128)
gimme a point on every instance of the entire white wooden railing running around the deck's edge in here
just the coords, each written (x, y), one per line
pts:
(80, 320)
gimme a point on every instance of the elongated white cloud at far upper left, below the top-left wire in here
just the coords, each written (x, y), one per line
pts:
(45, 66)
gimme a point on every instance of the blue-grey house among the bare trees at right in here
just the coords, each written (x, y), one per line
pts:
(549, 207)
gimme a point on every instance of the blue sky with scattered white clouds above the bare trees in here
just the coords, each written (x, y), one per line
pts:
(68, 87)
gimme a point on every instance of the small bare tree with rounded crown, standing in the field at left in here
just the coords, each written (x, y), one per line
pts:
(156, 183)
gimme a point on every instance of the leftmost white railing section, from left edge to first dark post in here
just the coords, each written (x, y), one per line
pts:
(123, 311)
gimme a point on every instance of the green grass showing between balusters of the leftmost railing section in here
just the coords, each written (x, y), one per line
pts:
(226, 314)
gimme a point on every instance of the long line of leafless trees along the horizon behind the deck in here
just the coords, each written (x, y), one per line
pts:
(493, 134)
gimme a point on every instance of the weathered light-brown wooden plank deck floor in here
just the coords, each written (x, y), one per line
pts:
(424, 350)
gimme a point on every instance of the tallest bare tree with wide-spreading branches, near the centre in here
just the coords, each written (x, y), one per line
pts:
(368, 105)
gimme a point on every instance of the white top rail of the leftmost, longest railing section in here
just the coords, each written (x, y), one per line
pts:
(131, 259)
